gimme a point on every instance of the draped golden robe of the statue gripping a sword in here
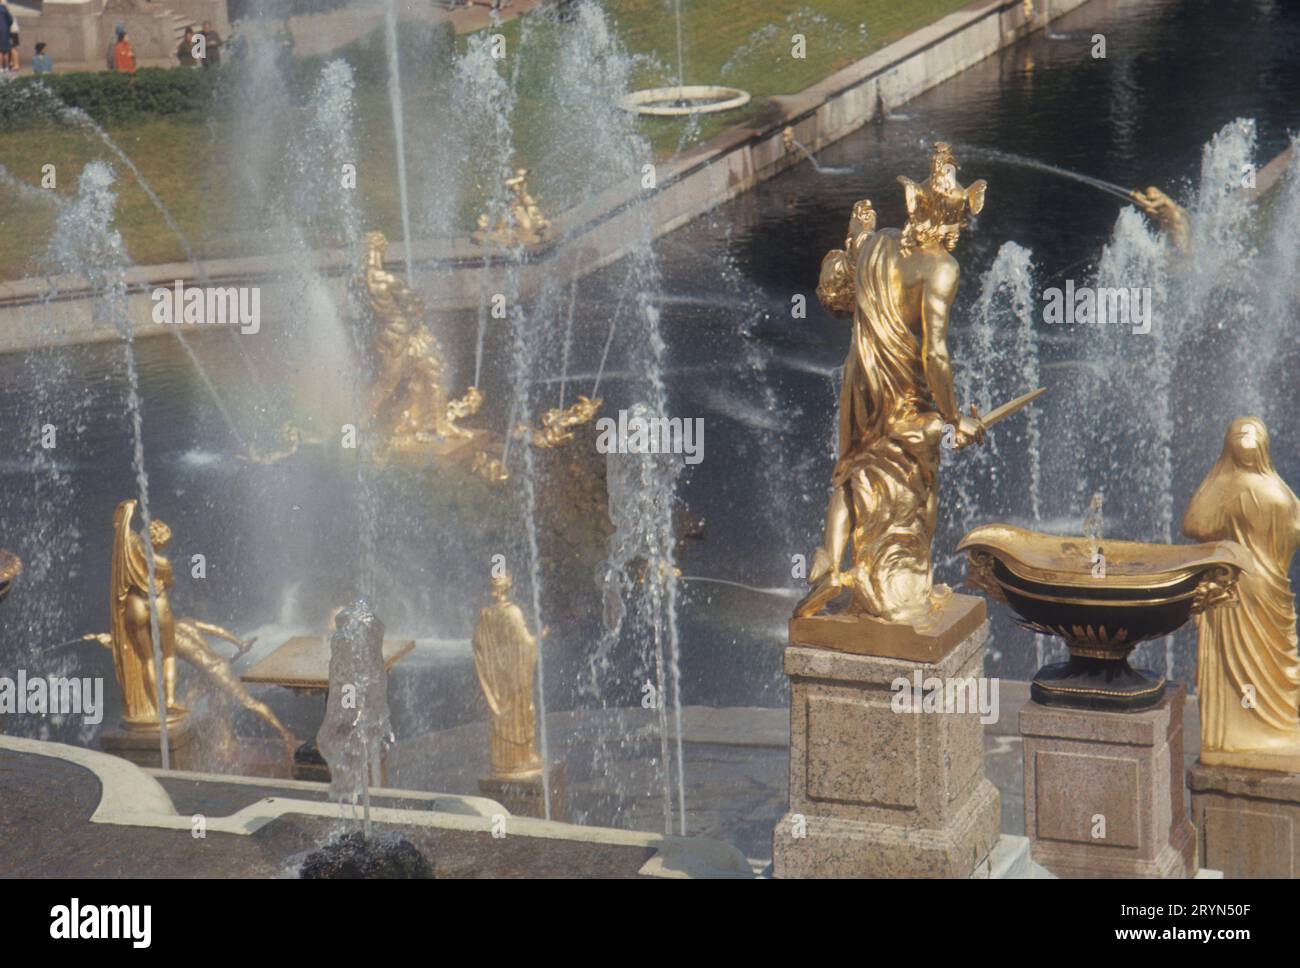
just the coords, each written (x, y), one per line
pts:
(889, 444)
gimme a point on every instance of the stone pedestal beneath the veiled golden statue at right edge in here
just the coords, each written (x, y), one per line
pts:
(1247, 821)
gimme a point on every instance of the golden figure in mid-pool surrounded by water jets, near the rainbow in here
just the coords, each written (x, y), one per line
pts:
(409, 398)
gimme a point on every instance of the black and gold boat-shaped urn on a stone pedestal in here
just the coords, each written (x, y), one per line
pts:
(1103, 598)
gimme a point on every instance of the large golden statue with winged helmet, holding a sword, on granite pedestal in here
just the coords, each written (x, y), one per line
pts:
(898, 403)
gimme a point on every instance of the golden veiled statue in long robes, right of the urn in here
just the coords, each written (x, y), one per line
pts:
(1247, 671)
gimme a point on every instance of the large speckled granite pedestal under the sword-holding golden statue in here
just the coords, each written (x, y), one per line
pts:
(878, 792)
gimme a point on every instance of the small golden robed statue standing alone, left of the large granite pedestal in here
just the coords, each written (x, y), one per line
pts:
(506, 662)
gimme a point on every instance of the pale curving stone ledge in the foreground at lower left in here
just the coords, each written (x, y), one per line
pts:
(132, 797)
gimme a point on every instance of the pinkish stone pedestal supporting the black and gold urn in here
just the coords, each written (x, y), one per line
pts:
(1104, 791)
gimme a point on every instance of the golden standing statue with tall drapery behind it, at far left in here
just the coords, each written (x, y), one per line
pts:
(131, 622)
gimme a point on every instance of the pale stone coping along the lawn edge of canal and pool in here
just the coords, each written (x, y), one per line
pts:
(690, 185)
